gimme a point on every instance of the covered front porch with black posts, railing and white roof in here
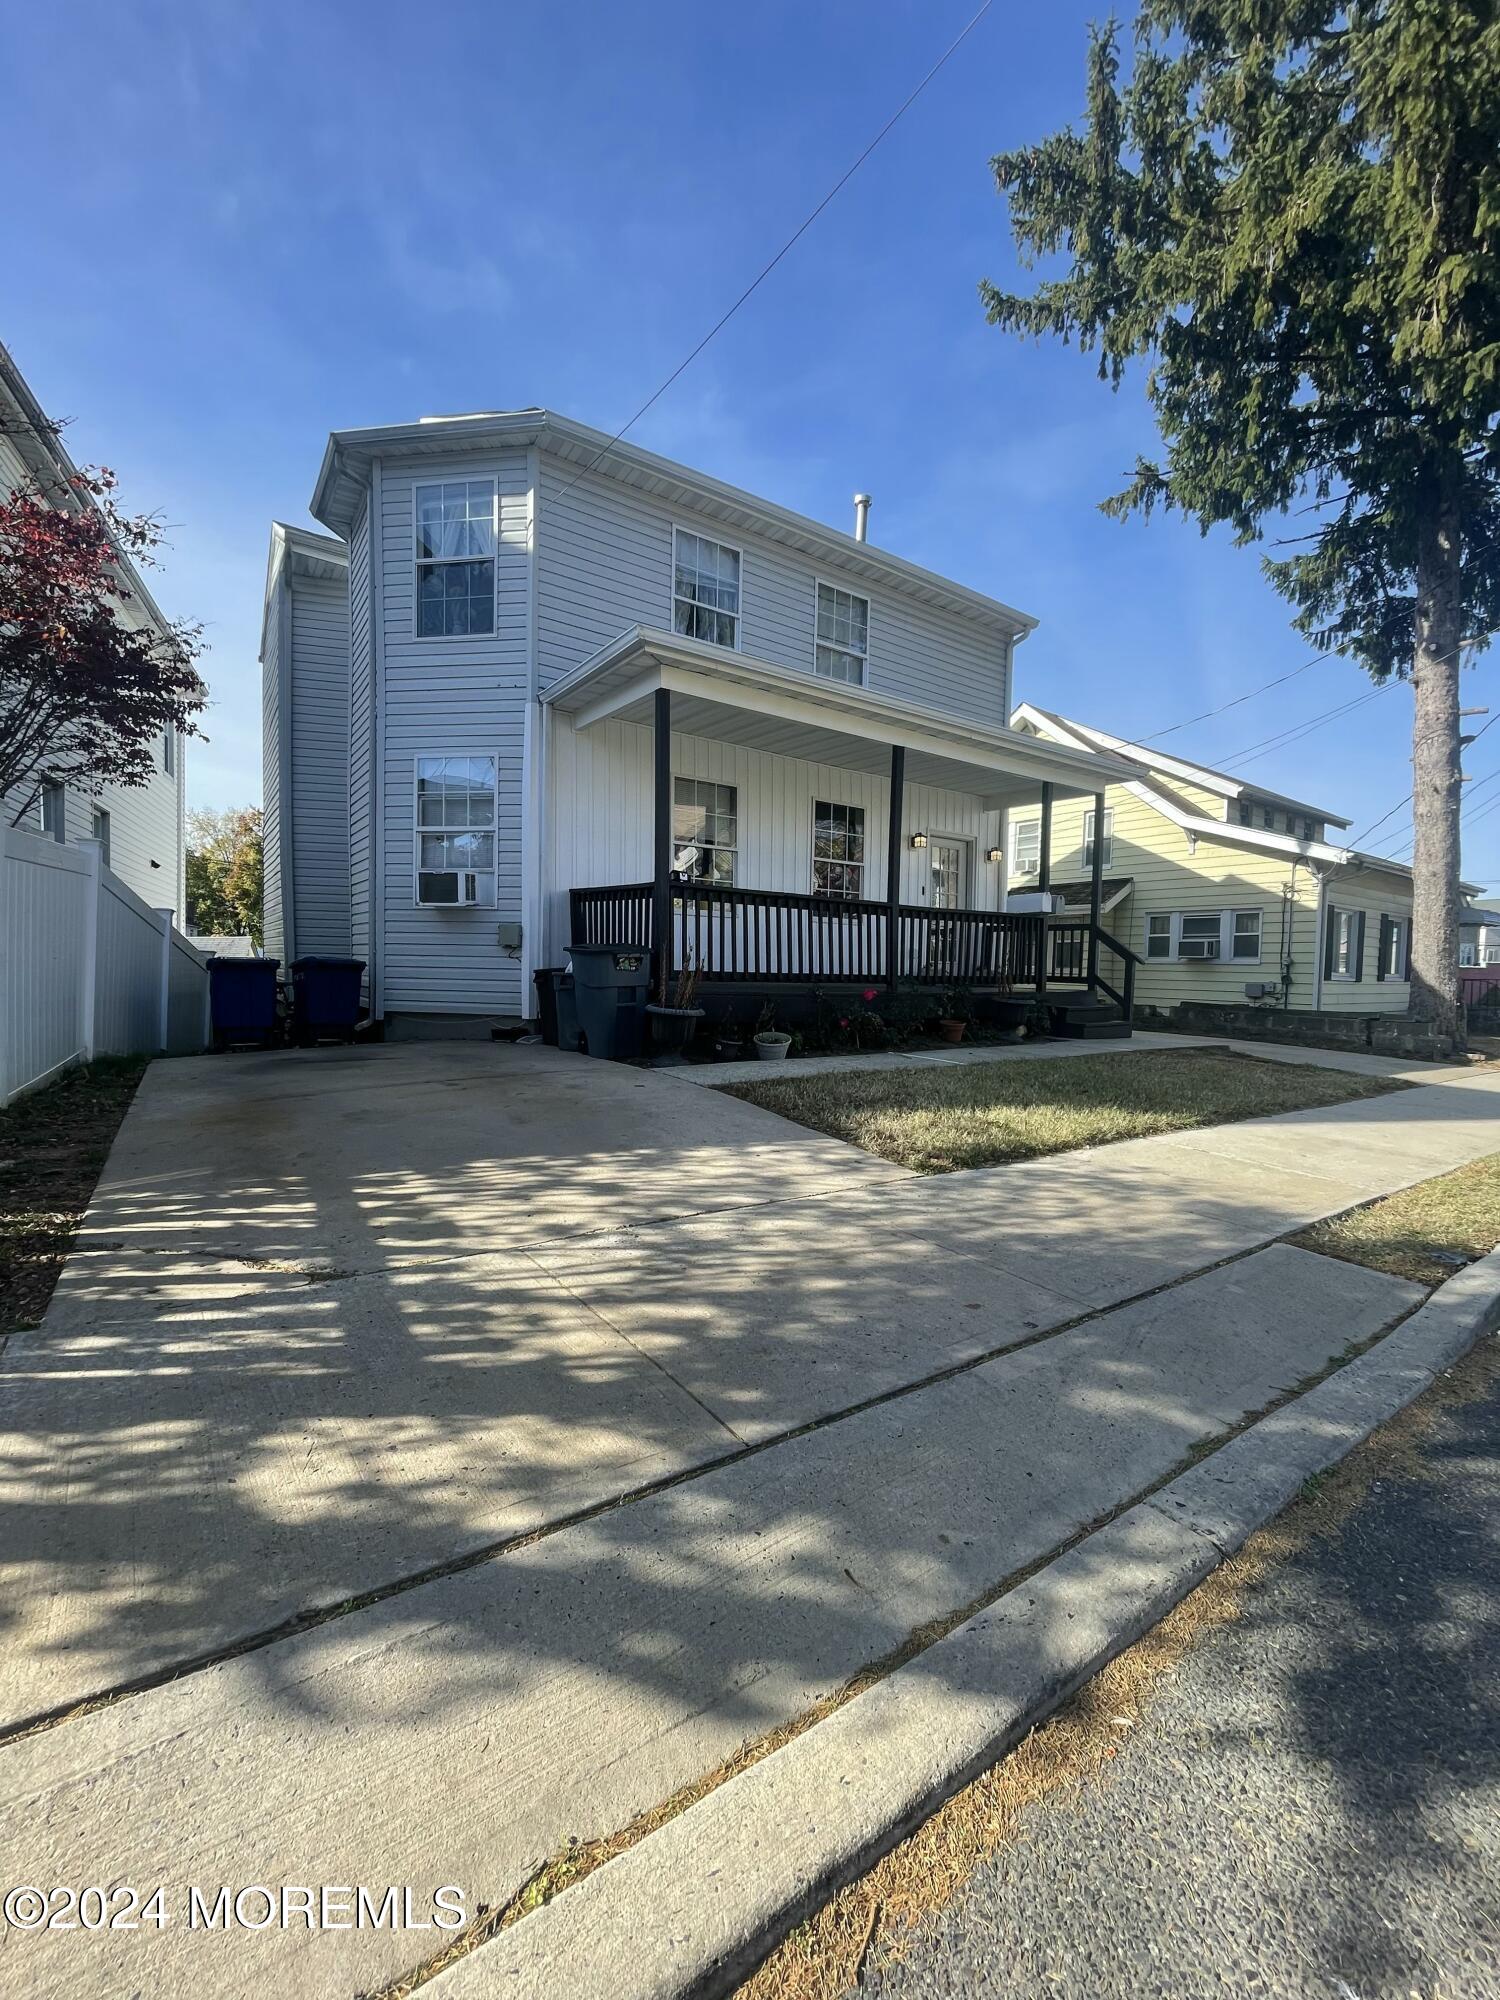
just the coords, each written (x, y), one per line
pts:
(805, 833)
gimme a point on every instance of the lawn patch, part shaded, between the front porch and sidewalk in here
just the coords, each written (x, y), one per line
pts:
(943, 1119)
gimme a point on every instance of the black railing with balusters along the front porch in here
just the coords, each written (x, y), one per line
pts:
(777, 937)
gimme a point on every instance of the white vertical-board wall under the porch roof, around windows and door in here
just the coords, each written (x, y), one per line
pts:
(601, 817)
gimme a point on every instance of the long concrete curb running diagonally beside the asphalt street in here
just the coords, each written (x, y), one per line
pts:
(693, 1909)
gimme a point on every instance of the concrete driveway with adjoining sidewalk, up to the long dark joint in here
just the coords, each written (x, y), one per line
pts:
(343, 1319)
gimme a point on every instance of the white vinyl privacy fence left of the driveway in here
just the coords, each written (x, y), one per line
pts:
(87, 969)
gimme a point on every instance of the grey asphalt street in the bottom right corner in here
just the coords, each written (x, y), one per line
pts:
(1311, 1803)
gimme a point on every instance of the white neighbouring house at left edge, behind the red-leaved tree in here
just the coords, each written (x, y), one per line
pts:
(139, 829)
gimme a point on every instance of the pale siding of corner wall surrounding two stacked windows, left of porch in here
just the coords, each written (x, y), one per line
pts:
(453, 695)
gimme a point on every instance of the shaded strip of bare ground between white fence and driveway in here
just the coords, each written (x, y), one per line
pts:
(53, 1147)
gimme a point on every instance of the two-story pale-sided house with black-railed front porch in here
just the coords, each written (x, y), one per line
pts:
(597, 697)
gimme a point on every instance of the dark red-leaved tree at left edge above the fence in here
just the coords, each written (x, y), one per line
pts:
(89, 683)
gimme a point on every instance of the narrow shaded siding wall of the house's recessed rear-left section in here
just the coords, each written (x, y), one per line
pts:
(321, 735)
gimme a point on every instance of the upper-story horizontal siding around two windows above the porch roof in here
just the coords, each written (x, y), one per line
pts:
(605, 565)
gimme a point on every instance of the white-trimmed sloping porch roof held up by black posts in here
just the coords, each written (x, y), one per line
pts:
(735, 699)
